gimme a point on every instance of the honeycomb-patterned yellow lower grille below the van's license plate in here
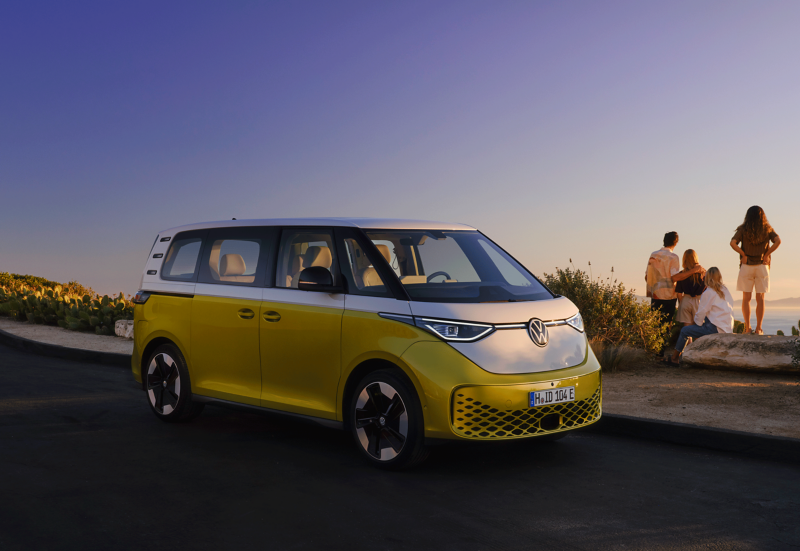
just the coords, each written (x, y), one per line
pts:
(475, 419)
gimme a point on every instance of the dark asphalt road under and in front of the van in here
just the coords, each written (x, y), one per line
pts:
(84, 464)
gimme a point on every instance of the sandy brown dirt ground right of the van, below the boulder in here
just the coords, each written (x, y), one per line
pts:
(764, 403)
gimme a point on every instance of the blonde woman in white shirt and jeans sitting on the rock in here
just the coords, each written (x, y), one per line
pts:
(714, 315)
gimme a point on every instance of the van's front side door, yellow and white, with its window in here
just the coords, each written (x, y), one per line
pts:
(300, 331)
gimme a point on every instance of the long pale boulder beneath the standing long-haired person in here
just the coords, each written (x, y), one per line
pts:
(748, 352)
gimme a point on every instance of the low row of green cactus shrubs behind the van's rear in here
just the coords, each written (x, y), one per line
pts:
(70, 306)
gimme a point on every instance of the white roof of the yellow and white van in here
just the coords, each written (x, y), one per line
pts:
(364, 223)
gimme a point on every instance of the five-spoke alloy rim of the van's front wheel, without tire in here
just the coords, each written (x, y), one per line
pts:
(381, 421)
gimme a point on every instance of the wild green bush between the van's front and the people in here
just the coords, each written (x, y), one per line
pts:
(612, 315)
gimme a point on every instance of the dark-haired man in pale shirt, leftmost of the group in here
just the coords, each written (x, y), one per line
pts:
(663, 271)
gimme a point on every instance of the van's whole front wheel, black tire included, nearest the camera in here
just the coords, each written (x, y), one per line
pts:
(386, 421)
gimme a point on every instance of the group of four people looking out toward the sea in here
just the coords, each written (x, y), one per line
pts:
(704, 304)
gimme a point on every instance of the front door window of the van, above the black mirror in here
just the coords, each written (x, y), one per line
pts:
(301, 249)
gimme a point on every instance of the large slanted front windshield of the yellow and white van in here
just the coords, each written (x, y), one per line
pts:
(455, 266)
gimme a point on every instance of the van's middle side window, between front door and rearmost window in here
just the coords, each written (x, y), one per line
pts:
(233, 256)
